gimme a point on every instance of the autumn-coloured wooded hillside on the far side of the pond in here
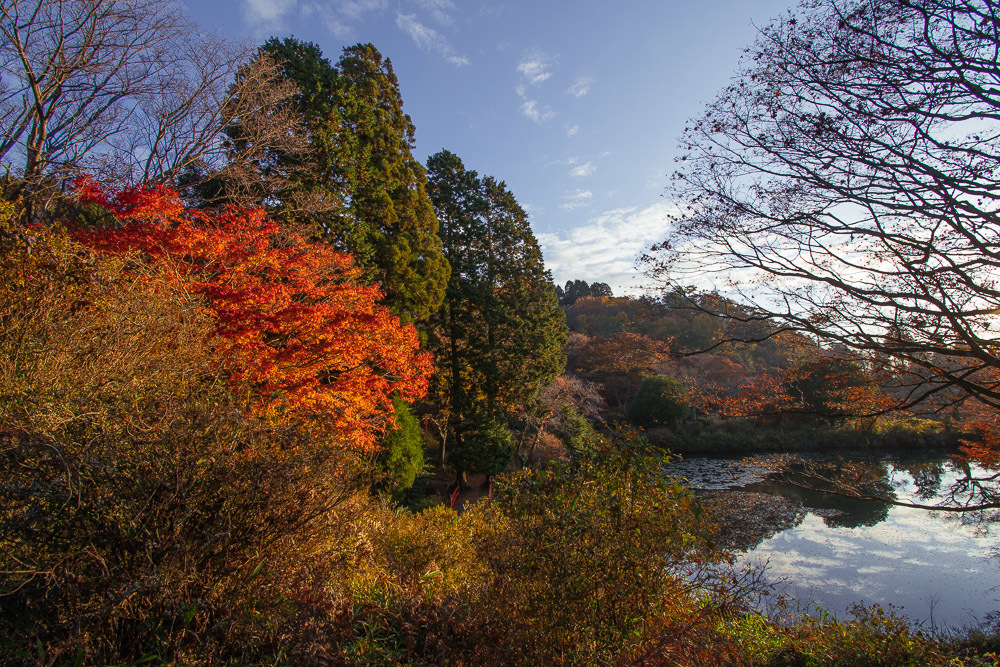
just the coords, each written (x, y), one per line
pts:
(686, 363)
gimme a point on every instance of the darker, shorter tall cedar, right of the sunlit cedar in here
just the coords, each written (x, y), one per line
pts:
(501, 329)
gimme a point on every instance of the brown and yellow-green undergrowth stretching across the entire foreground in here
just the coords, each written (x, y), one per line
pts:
(145, 518)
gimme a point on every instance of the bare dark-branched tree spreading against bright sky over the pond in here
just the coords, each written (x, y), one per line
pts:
(846, 183)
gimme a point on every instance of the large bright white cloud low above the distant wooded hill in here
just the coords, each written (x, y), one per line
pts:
(605, 249)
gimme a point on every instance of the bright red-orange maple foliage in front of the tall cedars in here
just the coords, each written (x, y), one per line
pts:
(297, 335)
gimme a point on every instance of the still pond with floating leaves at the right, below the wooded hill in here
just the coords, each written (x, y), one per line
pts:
(940, 569)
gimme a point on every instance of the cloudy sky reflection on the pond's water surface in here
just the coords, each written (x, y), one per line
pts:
(935, 570)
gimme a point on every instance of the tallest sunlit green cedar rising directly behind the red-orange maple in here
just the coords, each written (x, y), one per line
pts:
(361, 161)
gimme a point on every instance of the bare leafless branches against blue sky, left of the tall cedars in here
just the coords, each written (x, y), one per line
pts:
(134, 92)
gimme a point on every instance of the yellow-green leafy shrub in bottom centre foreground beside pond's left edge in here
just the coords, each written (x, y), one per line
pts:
(583, 559)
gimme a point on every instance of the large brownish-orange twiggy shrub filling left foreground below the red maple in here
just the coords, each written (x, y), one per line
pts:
(142, 512)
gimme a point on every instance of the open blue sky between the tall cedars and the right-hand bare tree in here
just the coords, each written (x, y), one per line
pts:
(577, 106)
